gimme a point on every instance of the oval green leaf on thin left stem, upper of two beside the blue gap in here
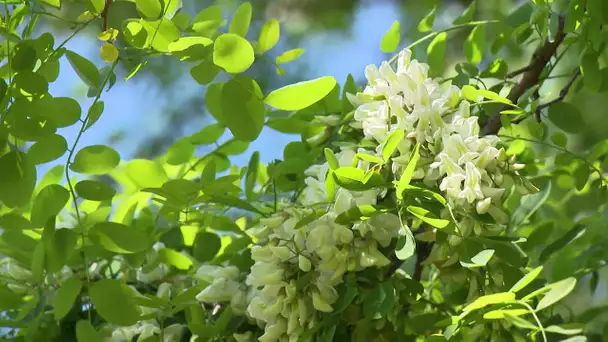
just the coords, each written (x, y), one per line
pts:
(95, 160)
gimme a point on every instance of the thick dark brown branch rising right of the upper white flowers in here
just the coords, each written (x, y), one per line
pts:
(531, 75)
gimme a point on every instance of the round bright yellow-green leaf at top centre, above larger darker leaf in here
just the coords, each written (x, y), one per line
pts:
(233, 53)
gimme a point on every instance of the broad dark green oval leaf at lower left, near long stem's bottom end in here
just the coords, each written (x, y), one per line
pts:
(114, 302)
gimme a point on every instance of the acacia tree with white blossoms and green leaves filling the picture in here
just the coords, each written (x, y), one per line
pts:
(413, 208)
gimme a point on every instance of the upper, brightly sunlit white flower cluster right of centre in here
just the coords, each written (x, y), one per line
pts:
(467, 167)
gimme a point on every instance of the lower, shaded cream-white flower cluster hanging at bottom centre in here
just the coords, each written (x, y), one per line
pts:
(319, 252)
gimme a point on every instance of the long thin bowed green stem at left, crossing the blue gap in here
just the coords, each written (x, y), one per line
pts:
(69, 181)
